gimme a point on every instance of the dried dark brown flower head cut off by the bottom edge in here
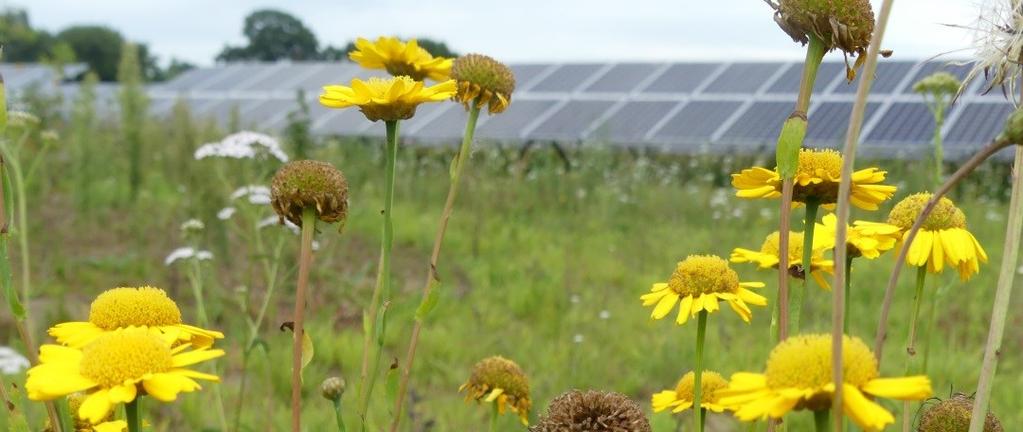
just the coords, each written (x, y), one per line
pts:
(593, 411)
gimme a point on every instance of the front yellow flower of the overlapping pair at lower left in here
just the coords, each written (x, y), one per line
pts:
(114, 368)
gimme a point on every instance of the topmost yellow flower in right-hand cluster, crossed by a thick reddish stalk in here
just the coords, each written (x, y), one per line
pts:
(817, 181)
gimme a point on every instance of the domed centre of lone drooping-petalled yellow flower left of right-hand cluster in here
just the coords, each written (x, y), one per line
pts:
(703, 275)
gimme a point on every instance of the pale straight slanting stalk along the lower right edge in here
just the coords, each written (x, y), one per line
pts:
(1003, 293)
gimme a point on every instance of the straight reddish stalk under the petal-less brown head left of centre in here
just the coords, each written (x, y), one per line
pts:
(305, 262)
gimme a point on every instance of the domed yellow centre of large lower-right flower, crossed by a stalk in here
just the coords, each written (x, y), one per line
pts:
(805, 363)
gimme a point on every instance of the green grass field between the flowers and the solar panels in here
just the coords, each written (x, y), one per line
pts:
(545, 264)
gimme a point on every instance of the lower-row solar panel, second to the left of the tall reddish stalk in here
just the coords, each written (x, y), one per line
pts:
(698, 121)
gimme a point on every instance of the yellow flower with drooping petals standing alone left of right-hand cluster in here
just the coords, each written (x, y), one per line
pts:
(697, 285)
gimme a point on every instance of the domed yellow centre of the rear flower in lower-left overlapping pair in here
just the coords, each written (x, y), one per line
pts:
(123, 308)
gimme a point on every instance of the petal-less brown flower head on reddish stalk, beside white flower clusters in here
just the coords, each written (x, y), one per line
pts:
(302, 185)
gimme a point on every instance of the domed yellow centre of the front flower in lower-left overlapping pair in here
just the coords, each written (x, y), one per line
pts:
(116, 358)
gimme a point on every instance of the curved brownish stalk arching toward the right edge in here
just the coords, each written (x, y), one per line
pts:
(967, 168)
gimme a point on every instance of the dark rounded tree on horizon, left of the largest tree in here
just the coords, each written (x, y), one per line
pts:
(99, 47)
